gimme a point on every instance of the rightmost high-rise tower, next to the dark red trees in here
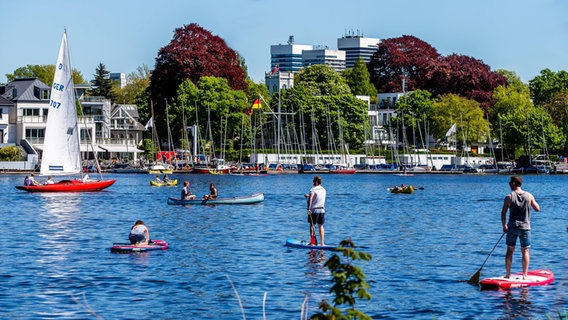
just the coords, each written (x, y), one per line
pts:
(357, 46)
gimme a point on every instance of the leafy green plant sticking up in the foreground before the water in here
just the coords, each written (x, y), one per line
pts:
(348, 284)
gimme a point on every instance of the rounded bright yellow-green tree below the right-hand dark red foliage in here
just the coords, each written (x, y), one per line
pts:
(467, 114)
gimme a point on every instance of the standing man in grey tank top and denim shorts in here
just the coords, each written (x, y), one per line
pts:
(518, 202)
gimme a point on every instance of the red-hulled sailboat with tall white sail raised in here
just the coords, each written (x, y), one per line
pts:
(61, 148)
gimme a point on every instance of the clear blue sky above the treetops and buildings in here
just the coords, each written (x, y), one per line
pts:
(518, 35)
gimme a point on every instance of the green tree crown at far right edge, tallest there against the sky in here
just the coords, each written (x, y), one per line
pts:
(544, 86)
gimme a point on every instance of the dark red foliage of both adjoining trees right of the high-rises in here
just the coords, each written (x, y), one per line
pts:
(419, 64)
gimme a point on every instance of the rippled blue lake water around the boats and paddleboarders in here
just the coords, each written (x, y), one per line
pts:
(56, 261)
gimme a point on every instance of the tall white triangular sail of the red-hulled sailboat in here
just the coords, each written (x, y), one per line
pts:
(61, 153)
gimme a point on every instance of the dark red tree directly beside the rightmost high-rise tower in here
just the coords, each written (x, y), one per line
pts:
(398, 58)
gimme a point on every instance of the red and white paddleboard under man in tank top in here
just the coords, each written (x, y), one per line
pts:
(534, 278)
